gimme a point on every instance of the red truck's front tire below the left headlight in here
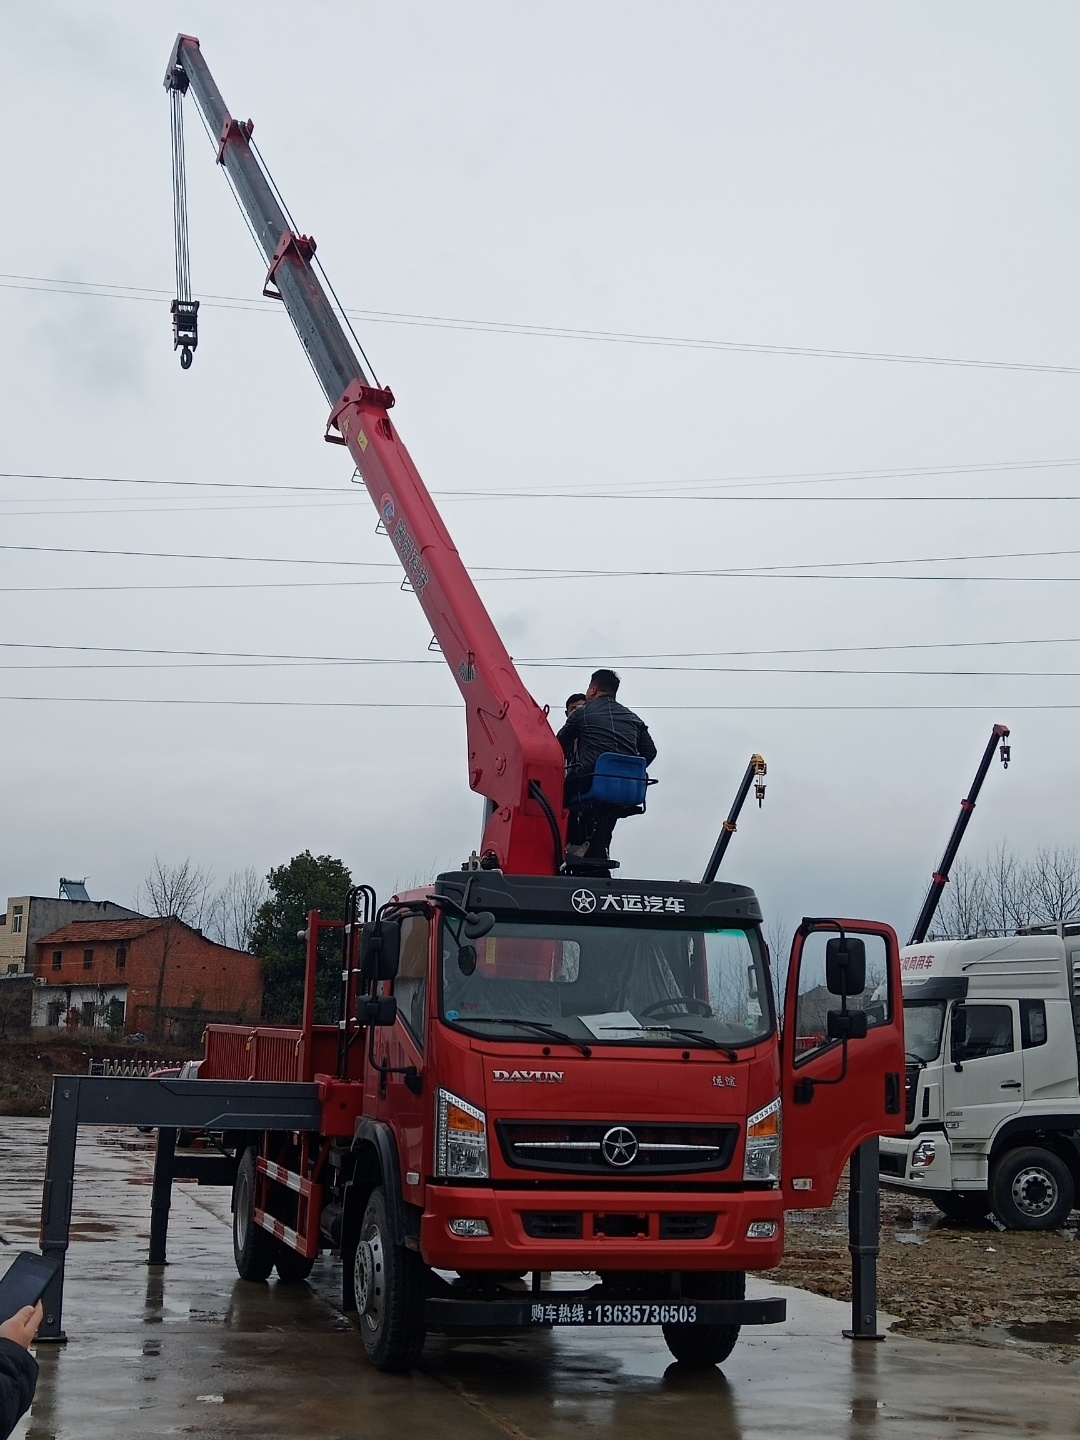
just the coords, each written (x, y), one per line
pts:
(391, 1288)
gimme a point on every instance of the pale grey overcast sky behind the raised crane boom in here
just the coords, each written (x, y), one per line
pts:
(709, 179)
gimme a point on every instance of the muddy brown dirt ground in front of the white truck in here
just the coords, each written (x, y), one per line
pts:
(948, 1281)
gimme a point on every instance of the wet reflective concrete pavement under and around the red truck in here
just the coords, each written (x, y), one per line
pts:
(191, 1350)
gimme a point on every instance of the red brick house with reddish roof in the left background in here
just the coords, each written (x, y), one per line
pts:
(156, 977)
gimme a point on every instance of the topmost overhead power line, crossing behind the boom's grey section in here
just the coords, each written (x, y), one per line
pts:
(508, 328)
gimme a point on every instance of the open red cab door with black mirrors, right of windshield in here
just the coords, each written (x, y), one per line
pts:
(843, 1081)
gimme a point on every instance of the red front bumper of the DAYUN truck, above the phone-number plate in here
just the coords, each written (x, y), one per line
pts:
(603, 1230)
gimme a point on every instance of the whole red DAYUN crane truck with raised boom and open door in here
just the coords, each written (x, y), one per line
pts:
(538, 1071)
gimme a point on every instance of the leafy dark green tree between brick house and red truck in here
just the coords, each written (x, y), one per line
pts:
(306, 883)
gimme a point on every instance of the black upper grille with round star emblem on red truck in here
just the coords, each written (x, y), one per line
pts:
(580, 1147)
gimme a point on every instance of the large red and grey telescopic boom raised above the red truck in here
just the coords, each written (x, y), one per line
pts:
(513, 755)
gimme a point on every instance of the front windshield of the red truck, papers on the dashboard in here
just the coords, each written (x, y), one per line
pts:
(608, 986)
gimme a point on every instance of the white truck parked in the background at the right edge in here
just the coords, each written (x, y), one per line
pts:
(993, 1091)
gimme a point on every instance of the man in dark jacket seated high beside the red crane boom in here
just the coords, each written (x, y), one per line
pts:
(601, 726)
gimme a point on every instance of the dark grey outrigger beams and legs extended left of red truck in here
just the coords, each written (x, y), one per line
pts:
(168, 1105)
